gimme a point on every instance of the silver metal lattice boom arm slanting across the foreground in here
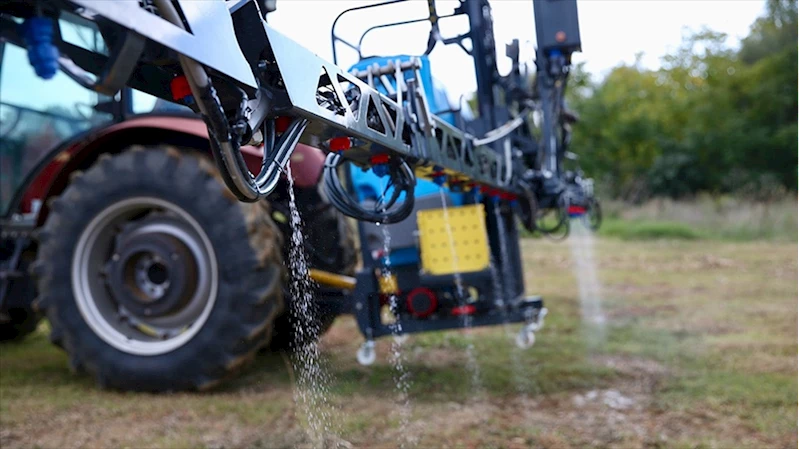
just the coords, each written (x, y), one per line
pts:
(243, 74)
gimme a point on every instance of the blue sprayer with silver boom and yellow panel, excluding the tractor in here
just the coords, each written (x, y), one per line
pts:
(254, 86)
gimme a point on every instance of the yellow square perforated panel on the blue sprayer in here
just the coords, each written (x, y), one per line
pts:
(467, 224)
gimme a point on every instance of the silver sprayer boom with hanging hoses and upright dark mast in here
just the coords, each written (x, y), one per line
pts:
(254, 85)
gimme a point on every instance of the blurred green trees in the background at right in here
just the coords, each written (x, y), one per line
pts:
(711, 119)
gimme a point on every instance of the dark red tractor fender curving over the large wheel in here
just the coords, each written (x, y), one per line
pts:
(51, 175)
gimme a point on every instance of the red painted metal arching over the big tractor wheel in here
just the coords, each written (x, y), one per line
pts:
(306, 162)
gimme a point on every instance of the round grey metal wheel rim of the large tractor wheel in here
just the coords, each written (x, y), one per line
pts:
(144, 275)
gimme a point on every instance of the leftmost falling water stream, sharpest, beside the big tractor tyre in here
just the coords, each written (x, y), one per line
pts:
(313, 382)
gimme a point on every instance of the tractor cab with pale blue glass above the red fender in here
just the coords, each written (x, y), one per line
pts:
(38, 116)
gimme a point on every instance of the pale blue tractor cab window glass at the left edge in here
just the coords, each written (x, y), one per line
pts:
(37, 115)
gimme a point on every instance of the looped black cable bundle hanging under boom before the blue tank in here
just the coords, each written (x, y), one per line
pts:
(401, 177)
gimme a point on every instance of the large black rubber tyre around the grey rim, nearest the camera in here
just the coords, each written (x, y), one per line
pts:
(249, 272)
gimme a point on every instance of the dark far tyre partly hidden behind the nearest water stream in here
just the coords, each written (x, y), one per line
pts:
(329, 244)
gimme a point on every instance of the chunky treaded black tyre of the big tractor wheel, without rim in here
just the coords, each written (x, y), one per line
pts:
(246, 319)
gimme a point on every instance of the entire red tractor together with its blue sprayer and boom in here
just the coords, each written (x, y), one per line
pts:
(157, 240)
